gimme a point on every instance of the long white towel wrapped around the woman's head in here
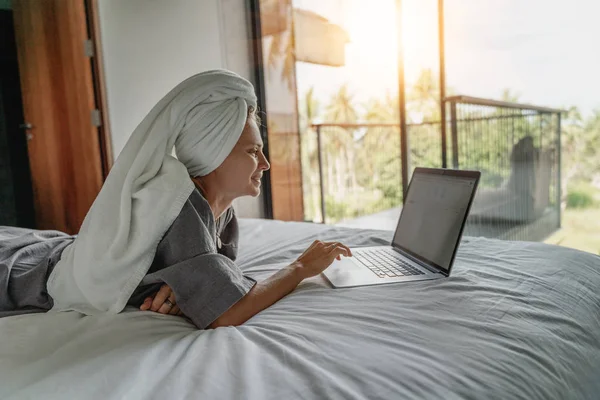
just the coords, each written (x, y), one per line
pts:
(203, 117)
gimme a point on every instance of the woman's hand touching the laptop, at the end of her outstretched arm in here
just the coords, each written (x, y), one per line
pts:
(319, 256)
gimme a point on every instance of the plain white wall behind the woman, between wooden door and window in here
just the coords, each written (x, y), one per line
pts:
(151, 46)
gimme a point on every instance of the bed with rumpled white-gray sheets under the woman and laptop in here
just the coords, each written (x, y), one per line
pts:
(515, 320)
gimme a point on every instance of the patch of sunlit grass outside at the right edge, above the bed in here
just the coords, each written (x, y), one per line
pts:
(580, 230)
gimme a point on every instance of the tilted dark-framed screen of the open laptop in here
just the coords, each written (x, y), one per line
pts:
(433, 215)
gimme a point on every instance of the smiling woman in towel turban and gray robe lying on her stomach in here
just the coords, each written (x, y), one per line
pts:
(161, 234)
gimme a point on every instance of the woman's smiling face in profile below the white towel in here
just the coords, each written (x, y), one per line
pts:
(241, 172)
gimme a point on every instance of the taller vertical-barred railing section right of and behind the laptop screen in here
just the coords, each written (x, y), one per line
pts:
(519, 195)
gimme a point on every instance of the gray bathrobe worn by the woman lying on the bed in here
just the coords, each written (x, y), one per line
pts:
(195, 258)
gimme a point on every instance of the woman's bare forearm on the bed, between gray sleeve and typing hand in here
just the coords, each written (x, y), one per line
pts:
(261, 296)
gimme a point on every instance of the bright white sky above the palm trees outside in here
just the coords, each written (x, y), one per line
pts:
(545, 51)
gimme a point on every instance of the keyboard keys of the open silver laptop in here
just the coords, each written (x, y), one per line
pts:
(385, 262)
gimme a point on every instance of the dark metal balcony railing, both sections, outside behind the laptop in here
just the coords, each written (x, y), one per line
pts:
(354, 170)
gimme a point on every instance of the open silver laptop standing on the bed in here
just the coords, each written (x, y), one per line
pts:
(427, 234)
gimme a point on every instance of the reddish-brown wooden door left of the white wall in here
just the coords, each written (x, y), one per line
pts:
(58, 101)
